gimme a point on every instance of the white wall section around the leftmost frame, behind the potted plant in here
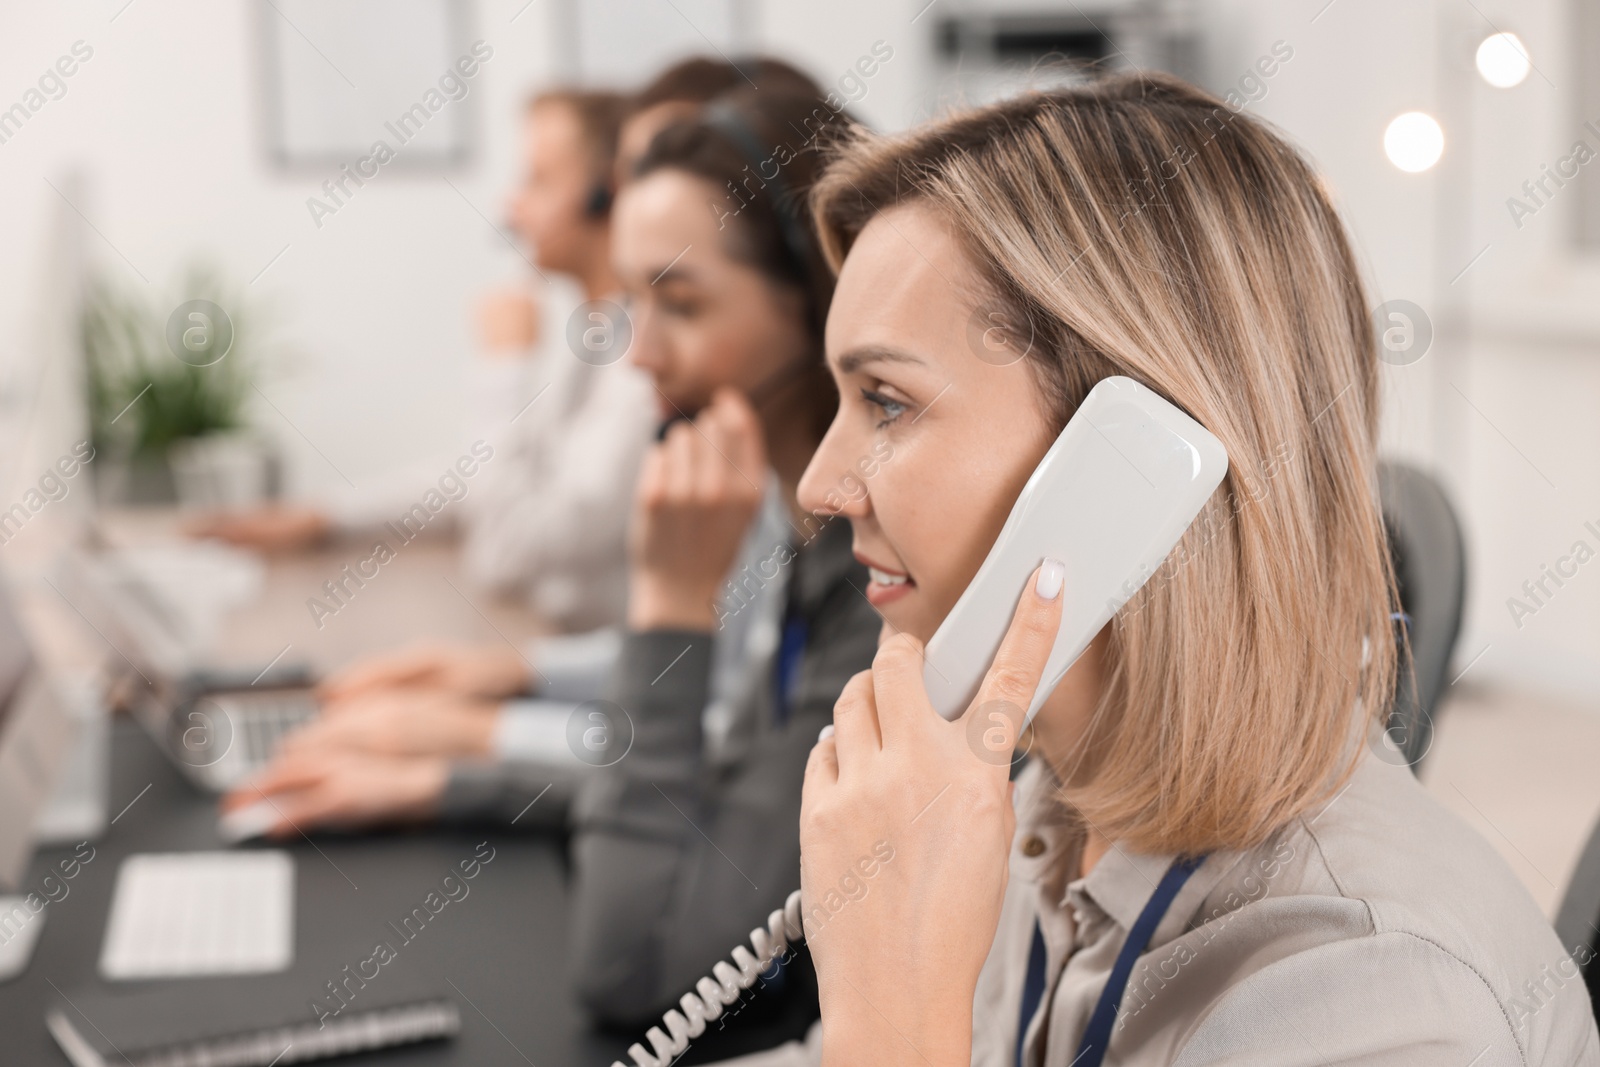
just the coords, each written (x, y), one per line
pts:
(166, 124)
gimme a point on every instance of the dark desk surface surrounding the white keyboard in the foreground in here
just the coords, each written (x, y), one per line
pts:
(503, 946)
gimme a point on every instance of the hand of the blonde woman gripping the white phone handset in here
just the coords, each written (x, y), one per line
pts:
(898, 951)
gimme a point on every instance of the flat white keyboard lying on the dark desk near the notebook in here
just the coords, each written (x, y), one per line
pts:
(191, 914)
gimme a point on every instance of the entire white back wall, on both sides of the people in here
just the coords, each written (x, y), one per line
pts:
(164, 119)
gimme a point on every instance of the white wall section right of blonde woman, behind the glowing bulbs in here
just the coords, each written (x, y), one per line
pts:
(1505, 407)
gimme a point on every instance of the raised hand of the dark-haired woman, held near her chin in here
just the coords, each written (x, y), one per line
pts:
(698, 494)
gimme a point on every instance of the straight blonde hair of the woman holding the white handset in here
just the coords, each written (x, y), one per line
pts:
(1142, 228)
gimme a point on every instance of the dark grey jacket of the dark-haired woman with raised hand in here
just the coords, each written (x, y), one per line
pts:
(676, 858)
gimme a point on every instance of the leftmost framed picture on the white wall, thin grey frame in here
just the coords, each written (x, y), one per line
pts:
(340, 78)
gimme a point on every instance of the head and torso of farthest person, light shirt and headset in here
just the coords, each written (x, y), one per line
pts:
(553, 518)
